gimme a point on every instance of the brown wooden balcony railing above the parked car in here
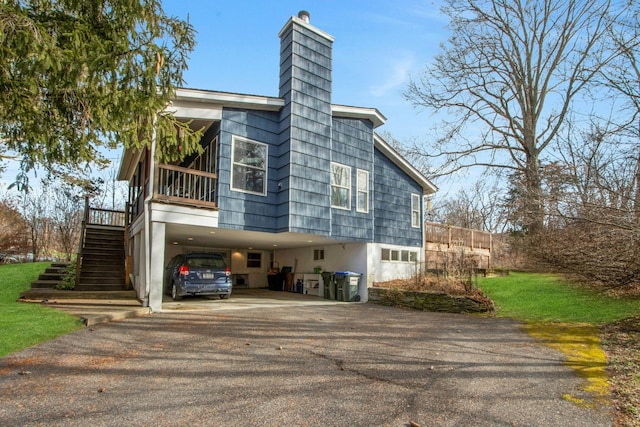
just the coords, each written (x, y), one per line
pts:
(182, 185)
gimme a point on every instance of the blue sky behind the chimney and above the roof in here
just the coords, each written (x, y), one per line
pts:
(378, 45)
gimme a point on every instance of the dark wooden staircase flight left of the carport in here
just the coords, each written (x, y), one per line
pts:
(103, 259)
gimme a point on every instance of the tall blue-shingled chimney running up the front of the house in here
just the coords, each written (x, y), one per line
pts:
(305, 85)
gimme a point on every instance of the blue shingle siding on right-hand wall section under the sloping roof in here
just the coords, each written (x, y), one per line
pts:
(392, 217)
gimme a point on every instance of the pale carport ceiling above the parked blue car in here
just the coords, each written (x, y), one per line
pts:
(209, 237)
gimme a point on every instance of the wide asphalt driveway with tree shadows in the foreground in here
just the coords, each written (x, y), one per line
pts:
(289, 364)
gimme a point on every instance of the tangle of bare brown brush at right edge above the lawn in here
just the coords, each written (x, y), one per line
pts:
(591, 229)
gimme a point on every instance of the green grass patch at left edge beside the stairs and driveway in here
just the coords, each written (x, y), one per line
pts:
(23, 325)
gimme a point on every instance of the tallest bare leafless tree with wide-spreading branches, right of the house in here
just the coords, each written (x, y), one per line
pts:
(508, 77)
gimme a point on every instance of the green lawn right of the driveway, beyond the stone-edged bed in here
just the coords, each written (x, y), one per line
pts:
(549, 298)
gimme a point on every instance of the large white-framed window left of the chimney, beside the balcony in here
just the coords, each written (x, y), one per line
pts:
(249, 160)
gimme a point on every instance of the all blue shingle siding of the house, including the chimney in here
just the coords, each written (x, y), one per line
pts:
(303, 139)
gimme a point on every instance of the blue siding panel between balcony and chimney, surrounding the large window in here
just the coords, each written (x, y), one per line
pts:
(240, 210)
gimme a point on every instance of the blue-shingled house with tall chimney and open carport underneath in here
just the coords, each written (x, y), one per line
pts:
(292, 180)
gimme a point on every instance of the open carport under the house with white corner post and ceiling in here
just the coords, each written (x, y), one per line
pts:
(251, 255)
